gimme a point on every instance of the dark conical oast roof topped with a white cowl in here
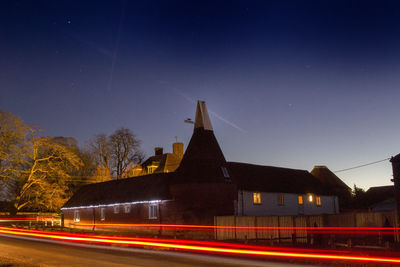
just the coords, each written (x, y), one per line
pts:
(203, 159)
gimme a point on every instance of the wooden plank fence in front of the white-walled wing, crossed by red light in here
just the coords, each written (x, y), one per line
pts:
(285, 228)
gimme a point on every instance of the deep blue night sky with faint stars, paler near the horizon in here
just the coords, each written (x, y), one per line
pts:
(288, 83)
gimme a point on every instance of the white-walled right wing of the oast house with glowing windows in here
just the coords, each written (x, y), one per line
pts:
(267, 190)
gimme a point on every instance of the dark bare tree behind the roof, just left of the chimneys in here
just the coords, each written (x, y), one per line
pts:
(125, 150)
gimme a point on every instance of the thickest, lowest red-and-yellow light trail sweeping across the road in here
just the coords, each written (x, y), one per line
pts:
(187, 246)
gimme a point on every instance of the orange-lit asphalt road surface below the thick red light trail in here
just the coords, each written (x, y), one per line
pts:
(28, 252)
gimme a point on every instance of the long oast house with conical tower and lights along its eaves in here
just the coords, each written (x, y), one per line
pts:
(203, 186)
